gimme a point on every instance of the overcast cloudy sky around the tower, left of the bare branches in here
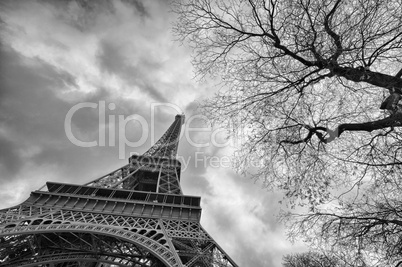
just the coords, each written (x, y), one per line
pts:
(66, 65)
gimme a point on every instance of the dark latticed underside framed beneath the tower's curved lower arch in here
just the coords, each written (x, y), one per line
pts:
(52, 247)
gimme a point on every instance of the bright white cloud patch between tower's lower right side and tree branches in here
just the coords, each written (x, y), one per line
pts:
(241, 217)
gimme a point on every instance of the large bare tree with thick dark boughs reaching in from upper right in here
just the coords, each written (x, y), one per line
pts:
(314, 87)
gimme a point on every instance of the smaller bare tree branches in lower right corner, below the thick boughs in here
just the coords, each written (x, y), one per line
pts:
(368, 229)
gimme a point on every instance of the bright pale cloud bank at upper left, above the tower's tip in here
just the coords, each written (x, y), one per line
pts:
(121, 47)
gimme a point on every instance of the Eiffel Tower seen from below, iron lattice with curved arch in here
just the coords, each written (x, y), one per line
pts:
(134, 216)
